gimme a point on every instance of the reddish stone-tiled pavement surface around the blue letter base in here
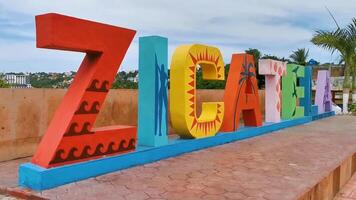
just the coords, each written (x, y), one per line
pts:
(280, 166)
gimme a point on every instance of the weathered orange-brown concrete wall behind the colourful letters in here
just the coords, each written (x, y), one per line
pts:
(26, 113)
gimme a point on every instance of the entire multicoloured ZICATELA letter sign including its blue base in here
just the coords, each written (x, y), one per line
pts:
(71, 137)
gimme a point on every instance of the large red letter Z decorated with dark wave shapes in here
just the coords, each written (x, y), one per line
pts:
(70, 136)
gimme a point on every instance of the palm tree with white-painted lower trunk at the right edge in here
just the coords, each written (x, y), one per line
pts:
(339, 40)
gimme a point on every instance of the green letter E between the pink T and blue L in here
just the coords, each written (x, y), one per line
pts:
(291, 92)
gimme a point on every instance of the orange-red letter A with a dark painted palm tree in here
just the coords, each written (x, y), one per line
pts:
(241, 94)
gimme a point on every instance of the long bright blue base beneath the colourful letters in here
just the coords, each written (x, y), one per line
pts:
(38, 178)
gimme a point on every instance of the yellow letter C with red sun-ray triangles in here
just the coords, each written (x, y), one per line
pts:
(184, 118)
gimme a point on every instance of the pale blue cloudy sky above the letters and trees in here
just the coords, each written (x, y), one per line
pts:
(275, 27)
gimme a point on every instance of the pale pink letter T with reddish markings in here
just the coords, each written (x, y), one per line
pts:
(273, 71)
